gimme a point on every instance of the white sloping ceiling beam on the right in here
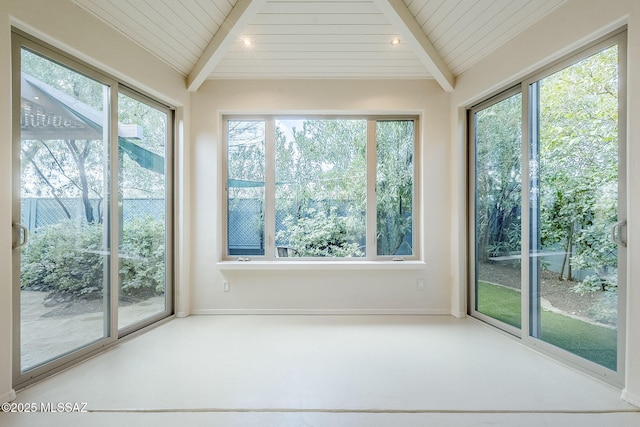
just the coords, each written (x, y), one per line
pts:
(400, 17)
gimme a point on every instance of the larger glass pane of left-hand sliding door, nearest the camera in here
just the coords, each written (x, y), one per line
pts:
(64, 265)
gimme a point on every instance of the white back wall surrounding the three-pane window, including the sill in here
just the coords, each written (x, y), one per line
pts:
(328, 289)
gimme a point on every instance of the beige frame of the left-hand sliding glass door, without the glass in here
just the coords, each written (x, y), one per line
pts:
(21, 379)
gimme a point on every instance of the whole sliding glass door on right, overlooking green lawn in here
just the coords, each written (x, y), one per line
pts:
(549, 233)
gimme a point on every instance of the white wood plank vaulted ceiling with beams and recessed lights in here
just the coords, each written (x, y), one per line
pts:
(265, 39)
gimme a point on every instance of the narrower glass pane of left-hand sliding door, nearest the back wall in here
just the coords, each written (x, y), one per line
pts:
(142, 186)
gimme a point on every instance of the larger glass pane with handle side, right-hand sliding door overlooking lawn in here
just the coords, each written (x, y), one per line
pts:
(574, 205)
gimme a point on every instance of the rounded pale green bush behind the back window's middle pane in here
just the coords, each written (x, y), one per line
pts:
(319, 233)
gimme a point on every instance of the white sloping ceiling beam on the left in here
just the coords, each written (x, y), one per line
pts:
(240, 16)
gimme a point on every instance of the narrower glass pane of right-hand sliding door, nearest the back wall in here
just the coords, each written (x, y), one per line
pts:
(497, 216)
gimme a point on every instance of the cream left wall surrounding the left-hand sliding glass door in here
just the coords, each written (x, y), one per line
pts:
(66, 26)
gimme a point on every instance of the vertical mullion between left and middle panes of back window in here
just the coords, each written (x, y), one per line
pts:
(270, 189)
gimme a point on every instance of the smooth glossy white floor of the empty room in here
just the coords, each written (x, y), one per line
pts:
(325, 371)
